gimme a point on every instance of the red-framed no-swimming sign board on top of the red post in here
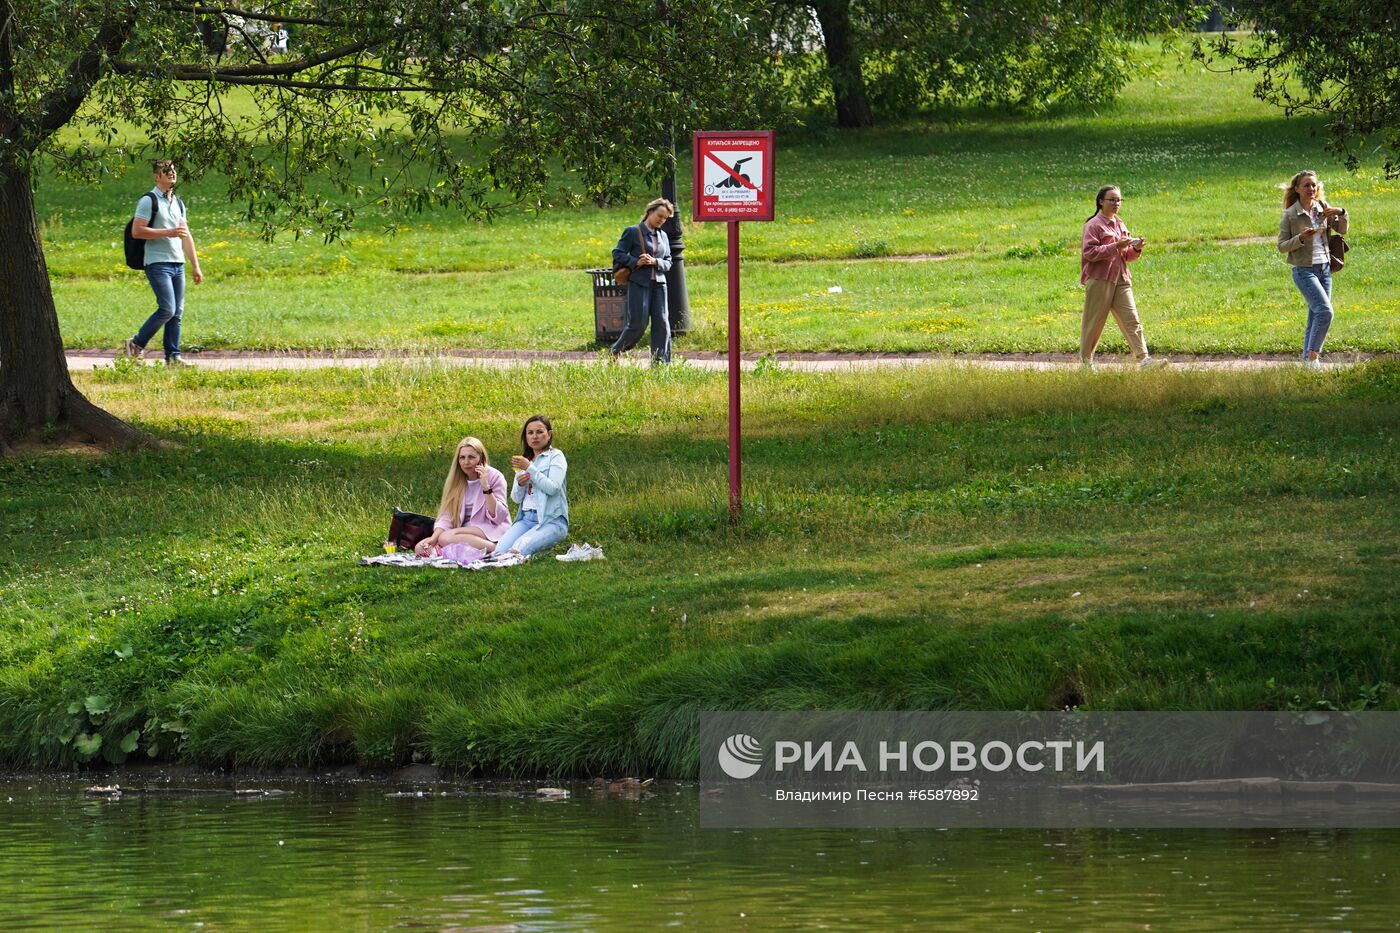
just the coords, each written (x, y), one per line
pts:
(734, 176)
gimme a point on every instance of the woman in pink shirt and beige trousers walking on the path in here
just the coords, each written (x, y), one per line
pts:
(1105, 254)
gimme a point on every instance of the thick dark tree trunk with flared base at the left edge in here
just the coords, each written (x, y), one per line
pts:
(36, 390)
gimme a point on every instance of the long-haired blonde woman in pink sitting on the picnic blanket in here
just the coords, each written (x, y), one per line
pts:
(474, 513)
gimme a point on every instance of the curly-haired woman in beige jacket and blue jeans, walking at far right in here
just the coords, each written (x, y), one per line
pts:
(1303, 239)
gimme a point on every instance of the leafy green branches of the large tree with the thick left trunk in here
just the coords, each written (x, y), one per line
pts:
(408, 106)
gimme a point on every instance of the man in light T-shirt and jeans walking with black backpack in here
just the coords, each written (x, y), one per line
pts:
(160, 221)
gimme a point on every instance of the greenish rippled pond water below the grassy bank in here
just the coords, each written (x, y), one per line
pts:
(349, 857)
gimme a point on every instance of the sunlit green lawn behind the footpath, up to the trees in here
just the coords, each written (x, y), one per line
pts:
(1200, 163)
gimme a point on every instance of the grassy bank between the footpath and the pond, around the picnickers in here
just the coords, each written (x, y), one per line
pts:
(912, 540)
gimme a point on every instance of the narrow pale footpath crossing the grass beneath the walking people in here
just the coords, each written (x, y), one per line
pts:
(702, 359)
